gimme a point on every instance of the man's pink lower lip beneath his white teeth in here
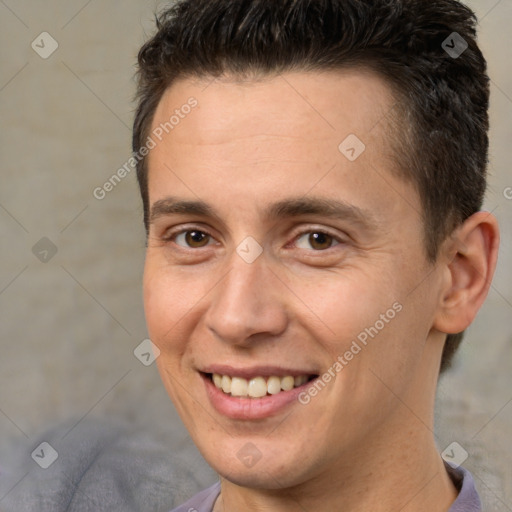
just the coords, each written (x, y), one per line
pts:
(241, 408)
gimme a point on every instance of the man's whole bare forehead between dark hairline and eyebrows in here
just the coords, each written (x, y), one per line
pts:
(248, 142)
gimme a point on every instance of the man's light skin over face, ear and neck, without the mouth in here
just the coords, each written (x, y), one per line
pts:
(365, 441)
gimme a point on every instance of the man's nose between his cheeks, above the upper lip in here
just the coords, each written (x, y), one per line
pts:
(248, 304)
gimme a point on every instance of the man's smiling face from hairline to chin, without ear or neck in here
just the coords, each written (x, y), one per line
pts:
(250, 275)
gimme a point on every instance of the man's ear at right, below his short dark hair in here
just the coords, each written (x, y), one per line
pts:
(469, 257)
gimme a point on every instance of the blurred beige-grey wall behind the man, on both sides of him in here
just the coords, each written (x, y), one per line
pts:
(69, 325)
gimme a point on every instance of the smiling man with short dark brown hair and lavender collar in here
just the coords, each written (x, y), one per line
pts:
(312, 173)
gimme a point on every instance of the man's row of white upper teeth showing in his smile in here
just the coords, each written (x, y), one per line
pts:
(257, 386)
